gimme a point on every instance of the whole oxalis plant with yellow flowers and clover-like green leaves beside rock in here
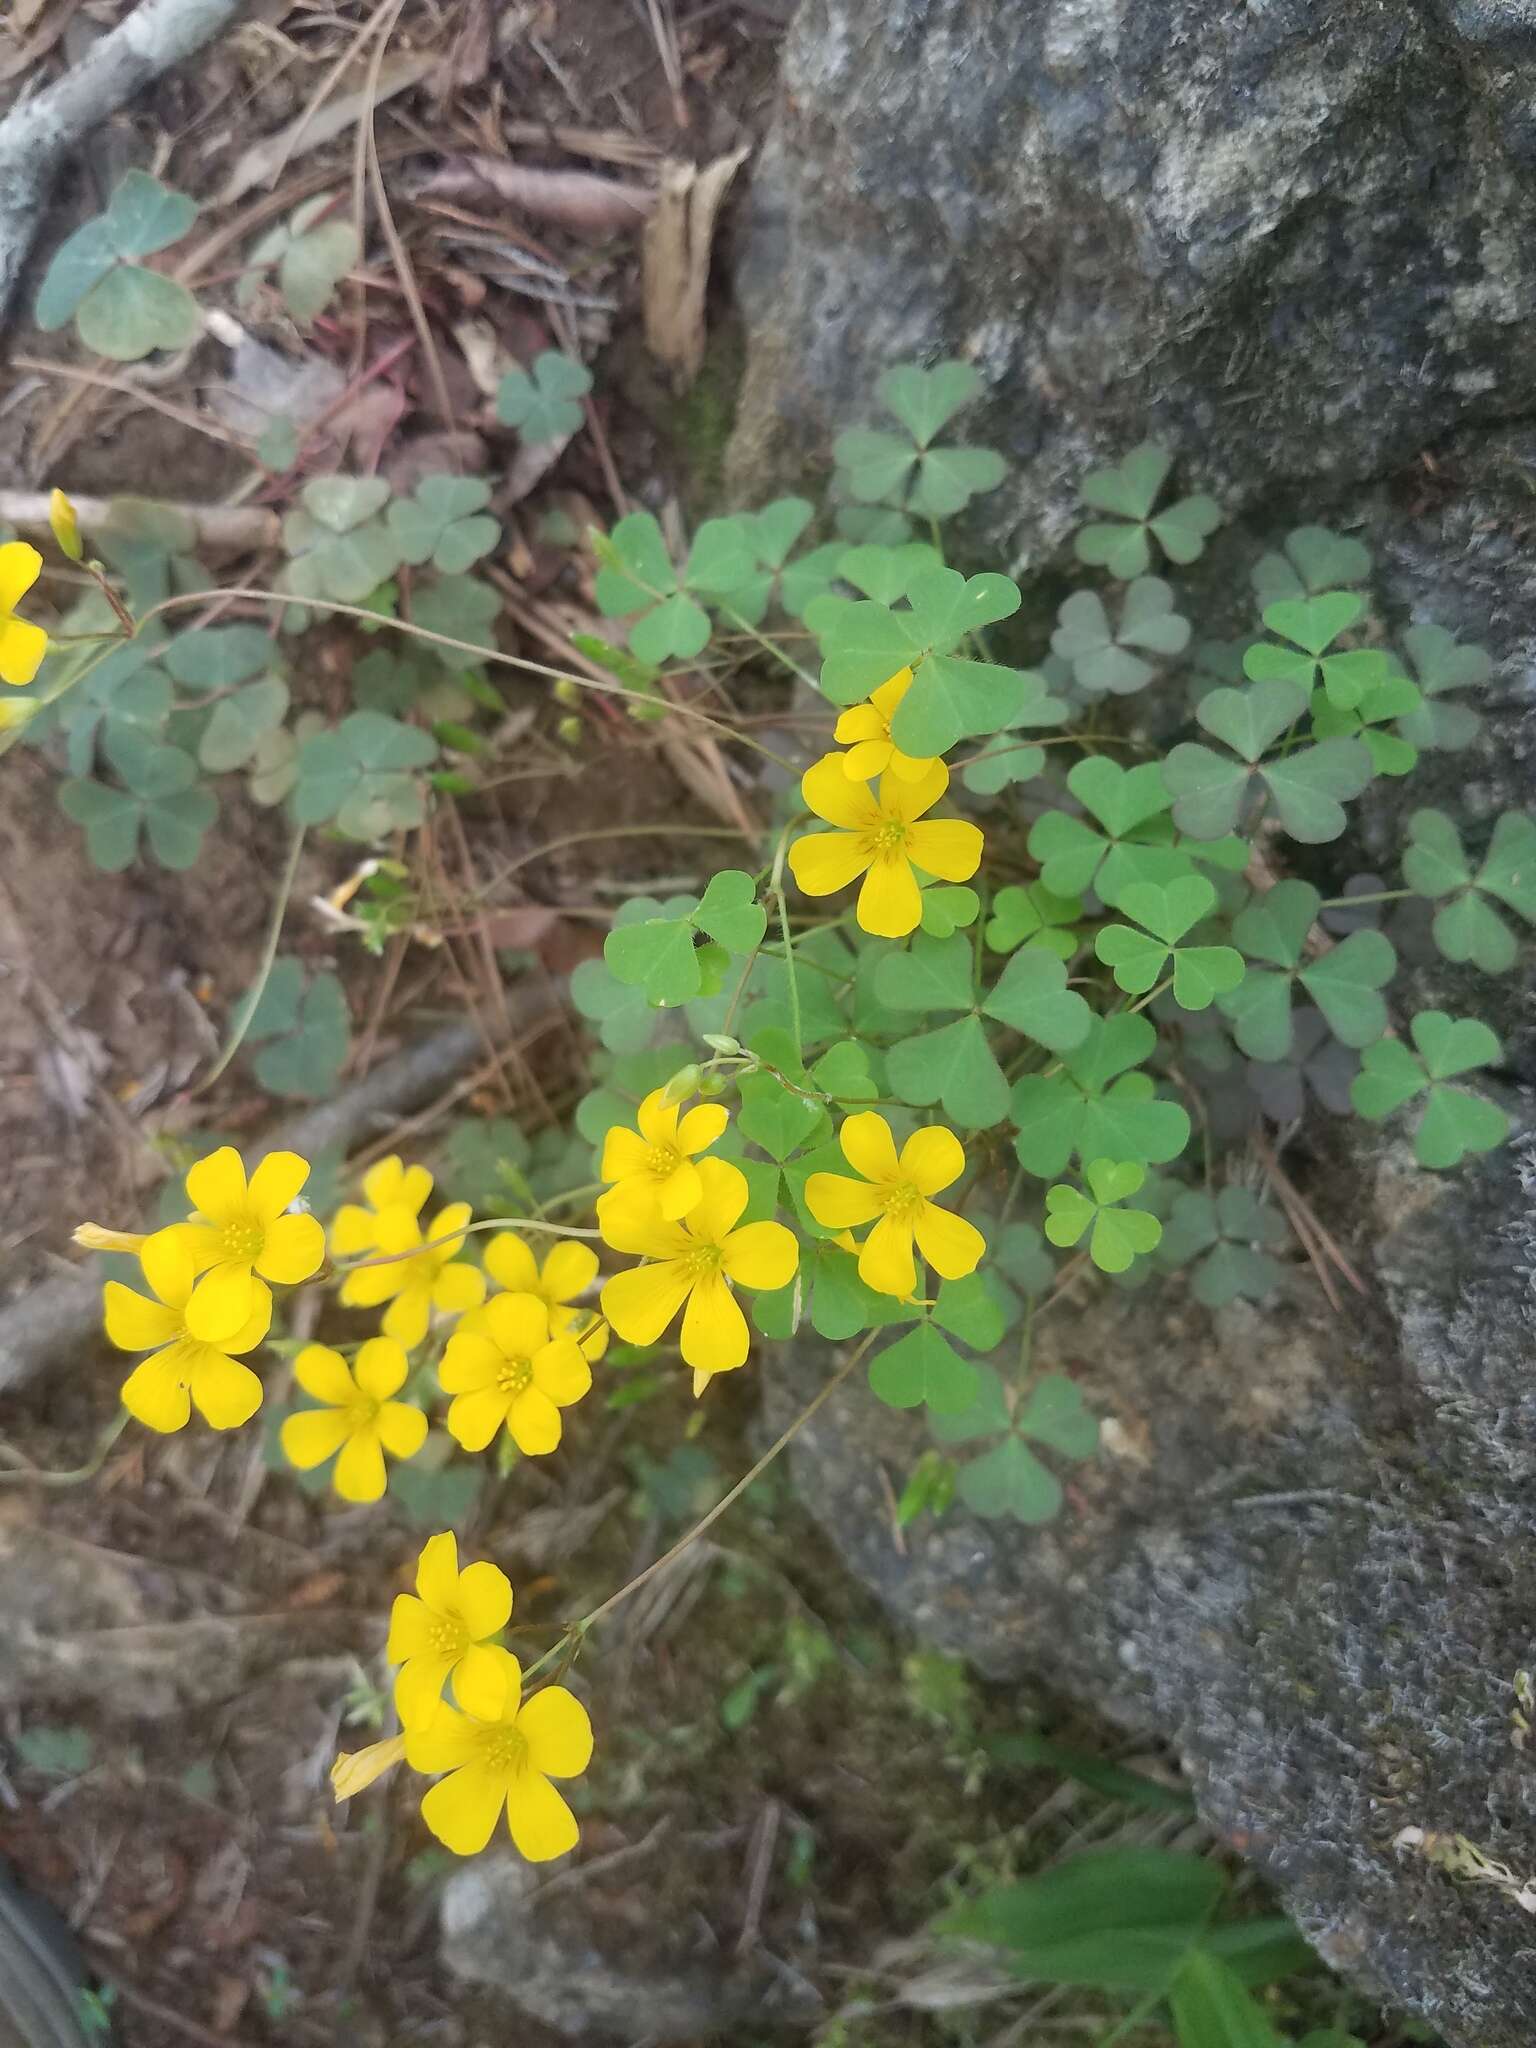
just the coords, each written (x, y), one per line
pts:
(1011, 982)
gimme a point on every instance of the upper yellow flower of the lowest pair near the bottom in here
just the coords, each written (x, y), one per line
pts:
(441, 1631)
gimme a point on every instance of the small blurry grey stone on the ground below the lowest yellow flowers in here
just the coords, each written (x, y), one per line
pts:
(601, 1963)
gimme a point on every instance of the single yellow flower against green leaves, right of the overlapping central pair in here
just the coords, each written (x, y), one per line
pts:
(896, 1197)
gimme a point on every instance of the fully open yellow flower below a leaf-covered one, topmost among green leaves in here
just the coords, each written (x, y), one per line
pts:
(882, 837)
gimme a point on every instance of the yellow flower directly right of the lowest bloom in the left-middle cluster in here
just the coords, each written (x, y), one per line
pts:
(503, 1367)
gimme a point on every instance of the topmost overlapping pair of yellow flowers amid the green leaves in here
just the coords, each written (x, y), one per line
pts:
(882, 833)
